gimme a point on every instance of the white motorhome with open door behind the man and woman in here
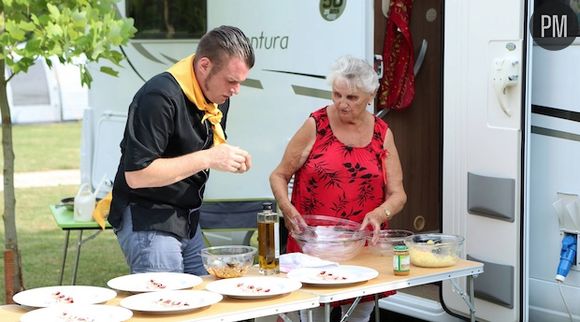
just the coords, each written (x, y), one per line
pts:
(489, 146)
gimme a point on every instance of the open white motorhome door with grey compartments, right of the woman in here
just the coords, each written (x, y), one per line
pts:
(480, 138)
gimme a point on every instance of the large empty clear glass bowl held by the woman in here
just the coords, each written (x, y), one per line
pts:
(331, 238)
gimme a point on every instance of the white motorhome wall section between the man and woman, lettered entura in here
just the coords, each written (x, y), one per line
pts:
(263, 120)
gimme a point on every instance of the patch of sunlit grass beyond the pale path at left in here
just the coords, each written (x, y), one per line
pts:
(50, 146)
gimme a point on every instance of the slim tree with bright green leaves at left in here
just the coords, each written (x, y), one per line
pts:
(73, 31)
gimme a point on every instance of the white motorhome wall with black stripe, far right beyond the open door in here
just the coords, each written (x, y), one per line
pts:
(554, 167)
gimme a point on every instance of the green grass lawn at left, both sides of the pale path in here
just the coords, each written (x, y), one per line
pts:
(43, 147)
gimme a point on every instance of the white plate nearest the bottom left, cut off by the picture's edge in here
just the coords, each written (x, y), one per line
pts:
(78, 312)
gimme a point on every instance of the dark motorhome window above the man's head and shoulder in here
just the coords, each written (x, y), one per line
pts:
(168, 19)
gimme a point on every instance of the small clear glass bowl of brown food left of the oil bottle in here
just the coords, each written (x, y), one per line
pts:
(228, 261)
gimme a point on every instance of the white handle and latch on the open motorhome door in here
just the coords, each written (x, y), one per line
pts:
(506, 74)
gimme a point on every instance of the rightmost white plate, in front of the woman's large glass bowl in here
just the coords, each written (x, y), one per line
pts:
(343, 274)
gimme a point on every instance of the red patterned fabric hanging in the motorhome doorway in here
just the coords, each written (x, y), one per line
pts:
(397, 87)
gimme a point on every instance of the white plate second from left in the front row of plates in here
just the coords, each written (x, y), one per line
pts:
(170, 301)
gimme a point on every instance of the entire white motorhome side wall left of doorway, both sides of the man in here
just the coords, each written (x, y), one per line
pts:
(262, 119)
